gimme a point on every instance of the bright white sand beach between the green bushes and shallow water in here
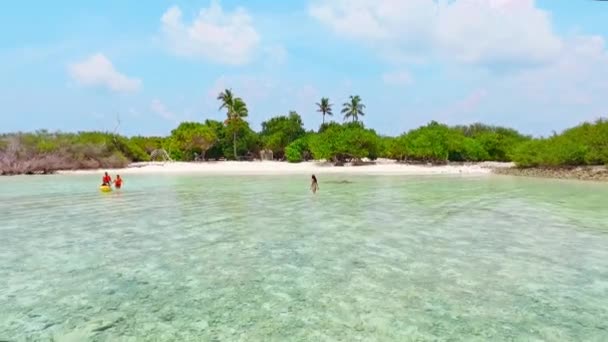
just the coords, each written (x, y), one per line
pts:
(381, 167)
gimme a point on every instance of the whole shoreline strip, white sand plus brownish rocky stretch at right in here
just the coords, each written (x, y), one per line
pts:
(379, 167)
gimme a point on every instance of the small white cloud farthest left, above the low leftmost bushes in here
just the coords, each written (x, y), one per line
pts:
(98, 70)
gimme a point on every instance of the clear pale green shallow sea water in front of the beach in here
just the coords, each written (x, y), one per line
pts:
(195, 258)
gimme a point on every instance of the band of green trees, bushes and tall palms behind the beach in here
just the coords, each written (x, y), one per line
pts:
(580, 152)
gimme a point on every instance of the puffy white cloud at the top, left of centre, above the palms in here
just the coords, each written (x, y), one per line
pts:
(216, 35)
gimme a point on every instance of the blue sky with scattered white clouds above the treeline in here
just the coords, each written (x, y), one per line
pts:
(537, 66)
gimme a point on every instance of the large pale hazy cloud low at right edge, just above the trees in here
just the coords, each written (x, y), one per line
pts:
(560, 94)
